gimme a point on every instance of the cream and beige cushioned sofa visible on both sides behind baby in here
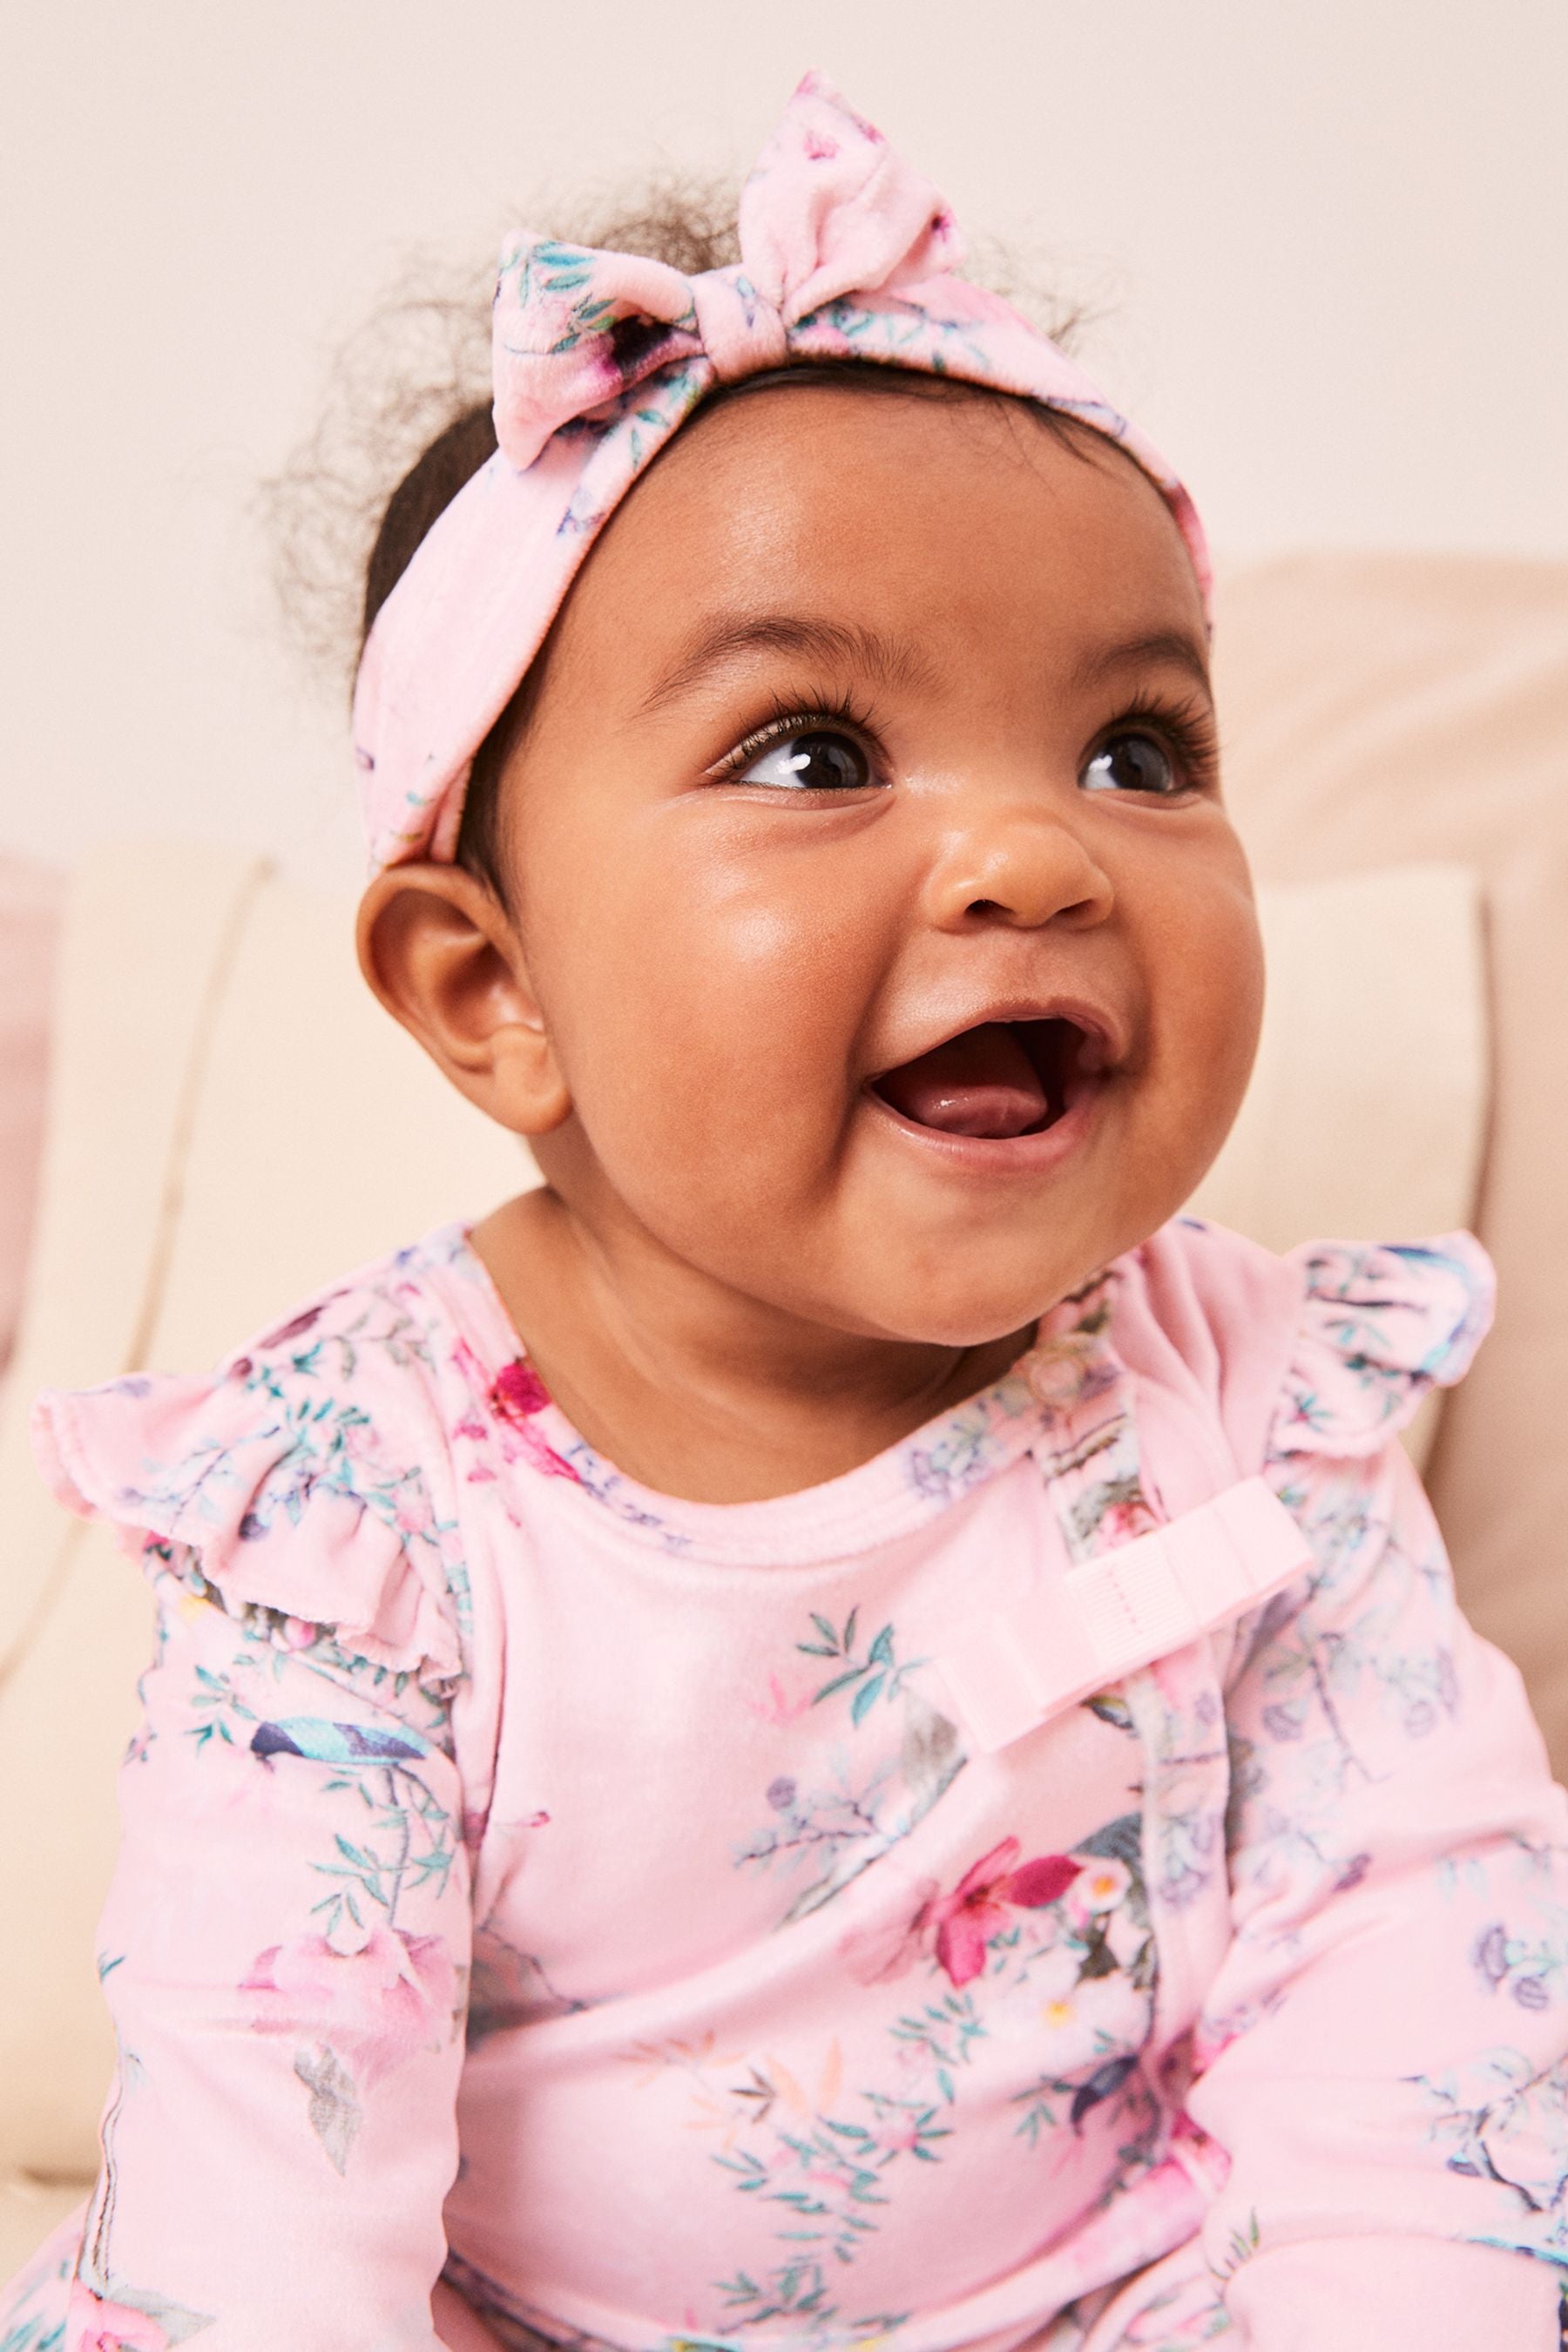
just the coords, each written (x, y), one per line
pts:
(232, 1121)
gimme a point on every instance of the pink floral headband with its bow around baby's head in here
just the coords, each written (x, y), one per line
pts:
(845, 255)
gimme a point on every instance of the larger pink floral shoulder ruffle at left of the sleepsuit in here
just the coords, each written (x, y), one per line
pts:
(304, 1478)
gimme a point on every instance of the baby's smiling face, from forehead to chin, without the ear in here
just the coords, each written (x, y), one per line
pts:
(871, 867)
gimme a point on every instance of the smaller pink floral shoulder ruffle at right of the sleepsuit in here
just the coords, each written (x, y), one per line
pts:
(1381, 1328)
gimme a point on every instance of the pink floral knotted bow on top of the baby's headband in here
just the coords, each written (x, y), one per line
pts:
(829, 211)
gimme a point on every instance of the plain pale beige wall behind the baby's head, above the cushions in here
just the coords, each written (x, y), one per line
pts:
(1332, 234)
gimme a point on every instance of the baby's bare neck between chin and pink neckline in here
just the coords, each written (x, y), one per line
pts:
(697, 1391)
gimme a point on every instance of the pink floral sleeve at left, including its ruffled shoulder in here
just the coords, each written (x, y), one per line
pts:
(288, 1932)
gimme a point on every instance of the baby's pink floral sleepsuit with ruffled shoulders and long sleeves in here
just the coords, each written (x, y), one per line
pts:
(601, 1902)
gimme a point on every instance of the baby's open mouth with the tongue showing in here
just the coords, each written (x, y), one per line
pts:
(998, 1081)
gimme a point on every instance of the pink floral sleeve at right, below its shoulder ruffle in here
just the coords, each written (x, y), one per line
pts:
(1383, 2047)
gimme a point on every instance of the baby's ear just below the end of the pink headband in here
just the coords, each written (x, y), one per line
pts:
(445, 958)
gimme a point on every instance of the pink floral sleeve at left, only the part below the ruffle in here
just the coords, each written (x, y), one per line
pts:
(286, 1960)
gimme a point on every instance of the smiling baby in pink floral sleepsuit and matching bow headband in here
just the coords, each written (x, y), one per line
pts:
(836, 1730)
